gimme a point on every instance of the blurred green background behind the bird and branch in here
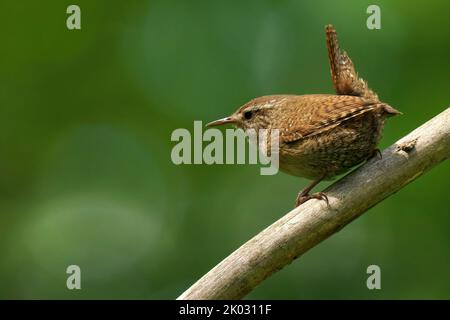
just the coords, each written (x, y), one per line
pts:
(85, 124)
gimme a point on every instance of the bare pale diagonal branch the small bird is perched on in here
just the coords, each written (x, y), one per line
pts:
(312, 222)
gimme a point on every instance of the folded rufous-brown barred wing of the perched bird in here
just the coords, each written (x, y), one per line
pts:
(316, 114)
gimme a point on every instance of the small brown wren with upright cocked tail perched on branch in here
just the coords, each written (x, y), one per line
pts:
(321, 135)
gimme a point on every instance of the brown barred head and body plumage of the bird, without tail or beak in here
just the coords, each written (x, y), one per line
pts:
(319, 134)
